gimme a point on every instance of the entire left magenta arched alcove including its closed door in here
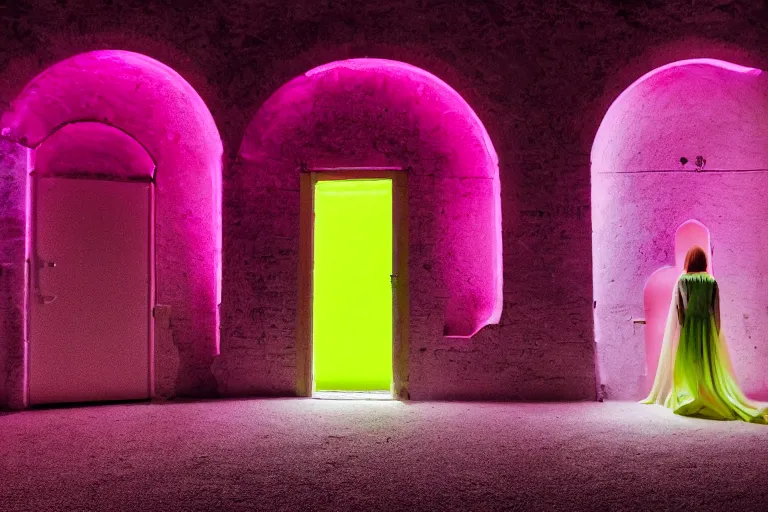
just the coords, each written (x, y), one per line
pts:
(119, 161)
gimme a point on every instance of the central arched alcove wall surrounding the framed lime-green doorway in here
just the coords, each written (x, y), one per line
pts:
(361, 114)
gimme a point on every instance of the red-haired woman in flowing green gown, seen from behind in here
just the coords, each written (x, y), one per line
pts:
(695, 376)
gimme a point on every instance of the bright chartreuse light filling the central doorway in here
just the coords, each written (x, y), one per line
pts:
(352, 302)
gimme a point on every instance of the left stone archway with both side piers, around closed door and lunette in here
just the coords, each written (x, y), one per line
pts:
(156, 107)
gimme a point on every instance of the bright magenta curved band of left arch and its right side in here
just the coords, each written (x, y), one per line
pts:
(164, 114)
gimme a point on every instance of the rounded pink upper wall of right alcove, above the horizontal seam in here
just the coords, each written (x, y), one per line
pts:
(686, 110)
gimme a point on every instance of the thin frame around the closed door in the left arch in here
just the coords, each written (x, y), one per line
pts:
(32, 281)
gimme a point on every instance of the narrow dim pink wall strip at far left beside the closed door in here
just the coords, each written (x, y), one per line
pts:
(13, 187)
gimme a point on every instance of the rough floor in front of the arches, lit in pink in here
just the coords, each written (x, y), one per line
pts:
(296, 454)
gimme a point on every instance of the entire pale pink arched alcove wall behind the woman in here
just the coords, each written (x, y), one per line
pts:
(648, 179)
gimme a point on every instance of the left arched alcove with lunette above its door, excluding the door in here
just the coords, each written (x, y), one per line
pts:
(129, 113)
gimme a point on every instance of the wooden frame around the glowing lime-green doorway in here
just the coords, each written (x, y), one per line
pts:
(400, 308)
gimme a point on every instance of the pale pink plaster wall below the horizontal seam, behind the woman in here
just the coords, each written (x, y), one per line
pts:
(644, 233)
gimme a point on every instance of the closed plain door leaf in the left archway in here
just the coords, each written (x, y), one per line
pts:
(90, 313)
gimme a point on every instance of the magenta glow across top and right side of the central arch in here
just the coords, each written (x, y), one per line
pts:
(434, 123)
